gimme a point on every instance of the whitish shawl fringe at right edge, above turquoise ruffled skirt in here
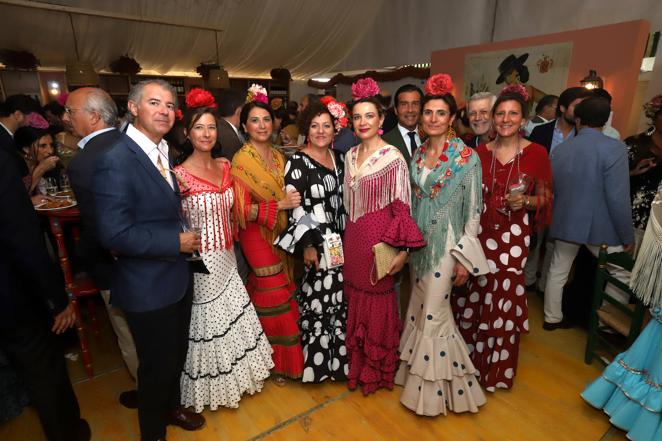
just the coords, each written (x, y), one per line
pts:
(646, 280)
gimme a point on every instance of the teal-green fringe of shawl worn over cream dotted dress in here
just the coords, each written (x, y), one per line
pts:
(434, 219)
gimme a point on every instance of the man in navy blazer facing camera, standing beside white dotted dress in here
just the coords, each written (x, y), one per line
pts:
(138, 218)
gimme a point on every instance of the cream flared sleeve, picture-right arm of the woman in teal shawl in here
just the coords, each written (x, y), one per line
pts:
(468, 250)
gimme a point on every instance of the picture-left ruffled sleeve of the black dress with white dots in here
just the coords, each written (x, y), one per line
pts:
(303, 225)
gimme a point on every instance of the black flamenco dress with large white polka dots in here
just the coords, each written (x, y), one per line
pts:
(322, 307)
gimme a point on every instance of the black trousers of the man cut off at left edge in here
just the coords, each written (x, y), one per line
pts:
(38, 357)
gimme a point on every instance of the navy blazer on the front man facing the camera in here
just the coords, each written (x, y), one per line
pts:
(138, 218)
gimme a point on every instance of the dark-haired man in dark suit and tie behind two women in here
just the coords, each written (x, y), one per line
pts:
(405, 135)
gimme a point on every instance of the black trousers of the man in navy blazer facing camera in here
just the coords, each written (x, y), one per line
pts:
(161, 338)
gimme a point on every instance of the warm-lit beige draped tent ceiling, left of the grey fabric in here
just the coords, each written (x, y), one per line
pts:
(306, 36)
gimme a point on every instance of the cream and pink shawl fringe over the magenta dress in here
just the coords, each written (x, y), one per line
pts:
(375, 191)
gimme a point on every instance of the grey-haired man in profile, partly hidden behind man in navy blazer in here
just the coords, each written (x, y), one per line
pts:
(92, 114)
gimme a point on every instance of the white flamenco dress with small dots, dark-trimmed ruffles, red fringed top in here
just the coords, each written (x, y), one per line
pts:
(228, 353)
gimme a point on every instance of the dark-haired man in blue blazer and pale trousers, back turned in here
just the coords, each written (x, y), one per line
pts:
(591, 200)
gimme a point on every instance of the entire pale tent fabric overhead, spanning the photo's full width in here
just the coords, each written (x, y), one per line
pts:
(309, 37)
